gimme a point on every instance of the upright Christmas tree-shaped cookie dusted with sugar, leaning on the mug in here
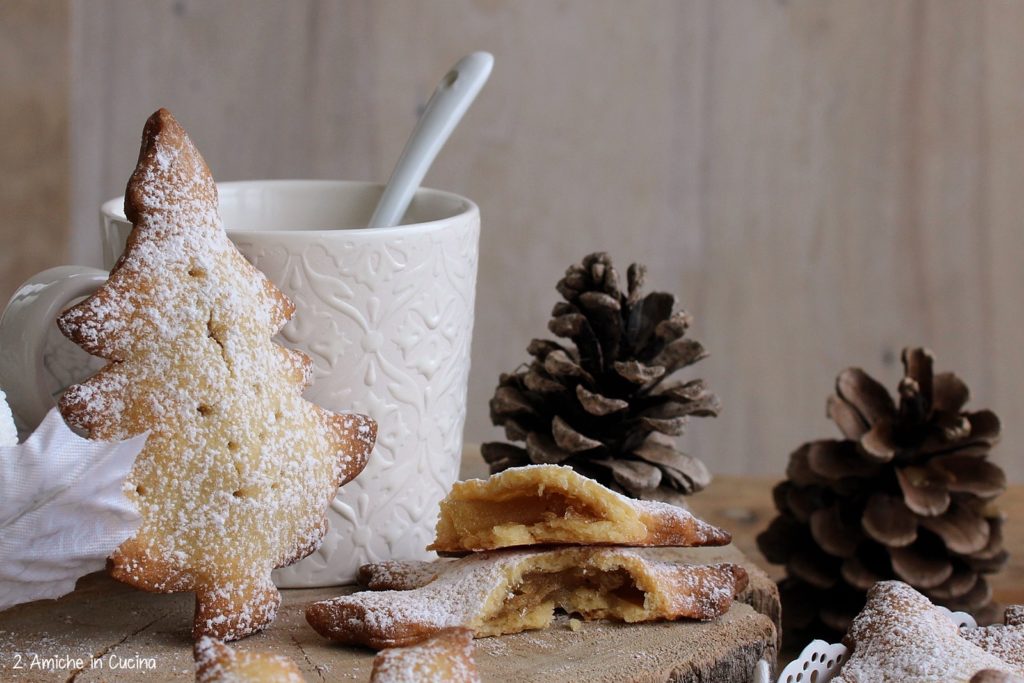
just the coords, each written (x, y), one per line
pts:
(238, 469)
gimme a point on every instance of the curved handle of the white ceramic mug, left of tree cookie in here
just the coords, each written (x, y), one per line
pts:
(24, 327)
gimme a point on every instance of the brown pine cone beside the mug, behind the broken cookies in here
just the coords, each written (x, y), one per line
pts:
(603, 406)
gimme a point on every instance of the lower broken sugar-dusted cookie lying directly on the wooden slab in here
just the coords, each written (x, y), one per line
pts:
(513, 591)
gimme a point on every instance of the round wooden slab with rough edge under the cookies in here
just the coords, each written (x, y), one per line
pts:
(111, 624)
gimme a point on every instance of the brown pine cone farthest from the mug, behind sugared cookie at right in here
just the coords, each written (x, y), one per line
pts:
(906, 495)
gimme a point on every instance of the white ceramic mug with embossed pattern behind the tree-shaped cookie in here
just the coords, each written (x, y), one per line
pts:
(387, 316)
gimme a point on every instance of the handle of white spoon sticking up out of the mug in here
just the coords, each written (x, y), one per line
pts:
(454, 96)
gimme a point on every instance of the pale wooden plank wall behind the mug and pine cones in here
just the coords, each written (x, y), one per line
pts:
(821, 184)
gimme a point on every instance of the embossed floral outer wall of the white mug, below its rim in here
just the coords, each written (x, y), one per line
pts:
(394, 322)
